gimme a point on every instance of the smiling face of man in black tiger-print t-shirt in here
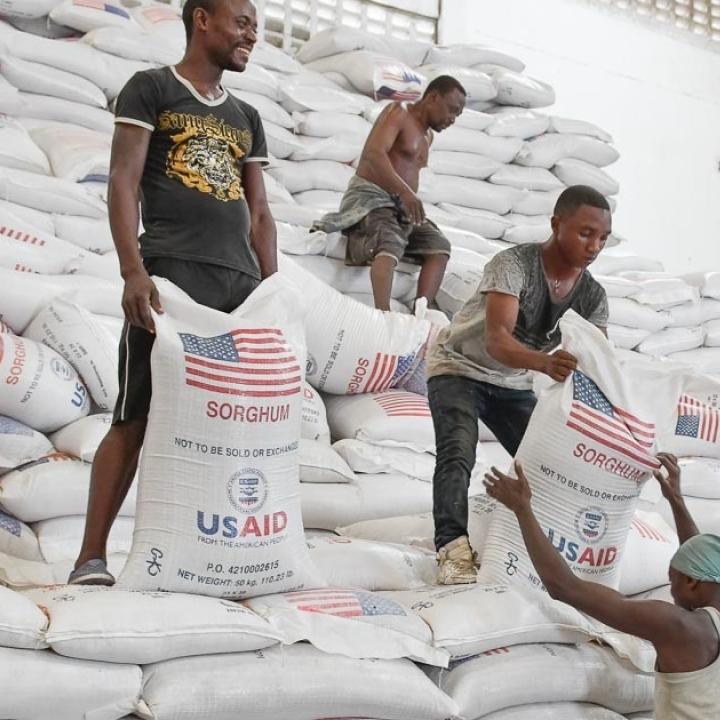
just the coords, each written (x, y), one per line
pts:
(229, 32)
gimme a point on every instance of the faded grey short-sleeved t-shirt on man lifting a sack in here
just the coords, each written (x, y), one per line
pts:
(461, 348)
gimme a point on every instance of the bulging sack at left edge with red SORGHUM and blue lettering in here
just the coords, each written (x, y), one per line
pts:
(42, 389)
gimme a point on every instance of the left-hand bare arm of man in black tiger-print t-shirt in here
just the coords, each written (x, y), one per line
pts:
(127, 162)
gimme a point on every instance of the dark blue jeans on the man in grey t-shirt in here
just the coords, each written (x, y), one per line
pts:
(456, 404)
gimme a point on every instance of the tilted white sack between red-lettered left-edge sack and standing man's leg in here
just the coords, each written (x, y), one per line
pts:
(74, 333)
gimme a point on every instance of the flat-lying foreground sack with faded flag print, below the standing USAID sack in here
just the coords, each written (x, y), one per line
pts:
(350, 622)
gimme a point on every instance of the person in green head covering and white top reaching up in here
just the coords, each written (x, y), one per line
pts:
(685, 634)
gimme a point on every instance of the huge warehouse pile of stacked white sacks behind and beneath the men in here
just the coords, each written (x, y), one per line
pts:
(366, 453)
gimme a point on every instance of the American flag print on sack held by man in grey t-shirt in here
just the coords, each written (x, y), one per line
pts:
(595, 417)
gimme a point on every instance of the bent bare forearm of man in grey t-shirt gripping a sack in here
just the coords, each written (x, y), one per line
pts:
(501, 312)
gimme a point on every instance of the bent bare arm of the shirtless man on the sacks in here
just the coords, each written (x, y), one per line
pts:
(376, 166)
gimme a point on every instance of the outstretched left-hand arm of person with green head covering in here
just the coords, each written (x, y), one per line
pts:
(658, 622)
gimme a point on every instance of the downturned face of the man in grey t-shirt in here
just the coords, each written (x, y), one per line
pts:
(581, 235)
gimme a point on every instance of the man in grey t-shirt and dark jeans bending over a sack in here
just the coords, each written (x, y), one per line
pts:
(479, 367)
